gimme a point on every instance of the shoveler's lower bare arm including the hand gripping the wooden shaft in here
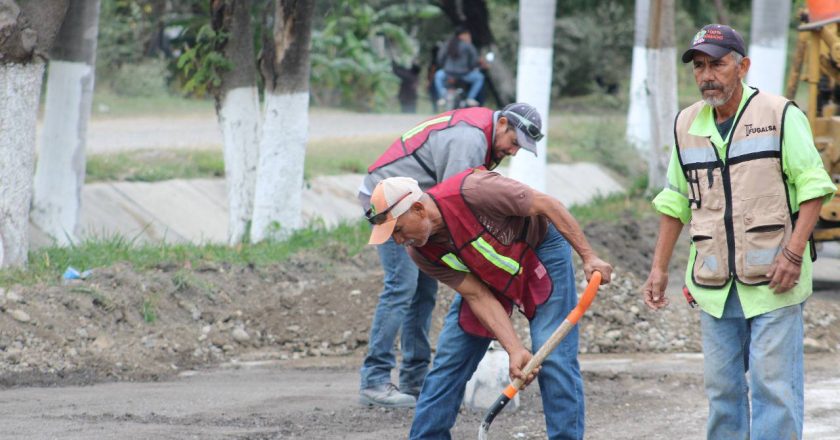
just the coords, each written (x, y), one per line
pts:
(492, 315)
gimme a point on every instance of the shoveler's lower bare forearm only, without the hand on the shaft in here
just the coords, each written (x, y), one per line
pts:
(489, 312)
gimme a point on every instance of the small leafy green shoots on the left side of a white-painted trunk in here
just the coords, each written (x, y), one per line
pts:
(203, 63)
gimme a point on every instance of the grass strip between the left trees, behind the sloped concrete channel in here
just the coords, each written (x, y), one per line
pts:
(154, 165)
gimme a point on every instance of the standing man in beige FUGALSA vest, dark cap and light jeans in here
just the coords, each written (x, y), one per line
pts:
(745, 174)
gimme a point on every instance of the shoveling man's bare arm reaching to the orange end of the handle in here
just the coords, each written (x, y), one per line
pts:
(562, 219)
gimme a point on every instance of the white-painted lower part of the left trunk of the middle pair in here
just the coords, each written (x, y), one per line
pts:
(239, 120)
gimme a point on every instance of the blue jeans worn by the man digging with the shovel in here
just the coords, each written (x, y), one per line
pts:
(459, 353)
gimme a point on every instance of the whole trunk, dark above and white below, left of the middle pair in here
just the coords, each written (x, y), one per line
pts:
(237, 106)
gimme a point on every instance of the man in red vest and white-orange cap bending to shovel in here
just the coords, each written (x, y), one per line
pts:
(499, 244)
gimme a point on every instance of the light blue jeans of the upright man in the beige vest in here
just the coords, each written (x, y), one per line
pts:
(770, 348)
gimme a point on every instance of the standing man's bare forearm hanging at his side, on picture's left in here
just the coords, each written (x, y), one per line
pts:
(654, 287)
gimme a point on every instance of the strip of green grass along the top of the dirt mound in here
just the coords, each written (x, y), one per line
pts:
(47, 264)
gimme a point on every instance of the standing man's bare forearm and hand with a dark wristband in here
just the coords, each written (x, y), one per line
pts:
(784, 274)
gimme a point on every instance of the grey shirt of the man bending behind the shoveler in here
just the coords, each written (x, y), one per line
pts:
(446, 152)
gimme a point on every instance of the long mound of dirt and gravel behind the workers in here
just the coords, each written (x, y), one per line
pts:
(122, 324)
